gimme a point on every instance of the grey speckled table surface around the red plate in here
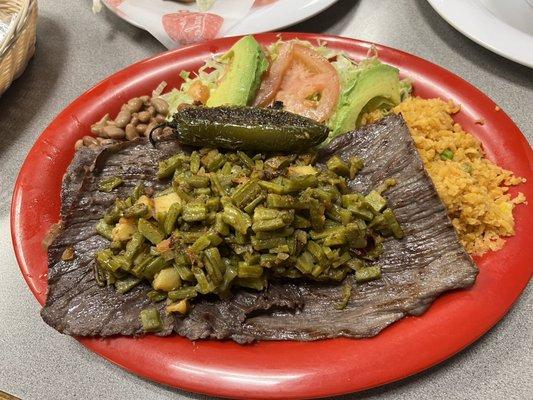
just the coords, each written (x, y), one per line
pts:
(76, 49)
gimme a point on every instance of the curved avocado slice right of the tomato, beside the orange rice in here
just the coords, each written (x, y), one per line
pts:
(376, 86)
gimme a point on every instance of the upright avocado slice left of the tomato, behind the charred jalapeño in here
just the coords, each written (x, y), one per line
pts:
(243, 75)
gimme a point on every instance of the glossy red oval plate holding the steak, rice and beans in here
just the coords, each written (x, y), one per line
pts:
(286, 369)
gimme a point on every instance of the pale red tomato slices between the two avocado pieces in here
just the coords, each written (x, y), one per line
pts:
(303, 80)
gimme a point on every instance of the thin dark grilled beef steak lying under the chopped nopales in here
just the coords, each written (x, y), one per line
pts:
(415, 270)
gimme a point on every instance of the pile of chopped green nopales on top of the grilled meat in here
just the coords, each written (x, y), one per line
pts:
(258, 238)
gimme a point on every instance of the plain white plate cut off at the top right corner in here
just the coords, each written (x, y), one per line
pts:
(502, 26)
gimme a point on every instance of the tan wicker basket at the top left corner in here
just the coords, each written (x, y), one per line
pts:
(19, 44)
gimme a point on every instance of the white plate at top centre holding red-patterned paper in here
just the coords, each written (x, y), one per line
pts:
(267, 18)
